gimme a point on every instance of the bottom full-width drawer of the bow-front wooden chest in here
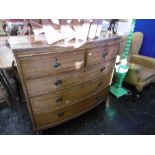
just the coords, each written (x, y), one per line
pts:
(58, 116)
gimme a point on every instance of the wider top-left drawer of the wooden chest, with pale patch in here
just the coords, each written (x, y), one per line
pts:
(45, 64)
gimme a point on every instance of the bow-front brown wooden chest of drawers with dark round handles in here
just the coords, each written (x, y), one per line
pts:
(62, 82)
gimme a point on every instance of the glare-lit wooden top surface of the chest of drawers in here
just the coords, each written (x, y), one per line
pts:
(30, 42)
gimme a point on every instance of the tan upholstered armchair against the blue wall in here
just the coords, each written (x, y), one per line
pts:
(142, 68)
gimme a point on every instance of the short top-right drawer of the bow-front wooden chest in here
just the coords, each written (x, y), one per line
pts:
(104, 53)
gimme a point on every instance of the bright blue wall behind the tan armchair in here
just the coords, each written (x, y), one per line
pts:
(147, 26)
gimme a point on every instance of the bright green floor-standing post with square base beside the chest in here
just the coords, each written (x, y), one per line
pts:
(122, 70)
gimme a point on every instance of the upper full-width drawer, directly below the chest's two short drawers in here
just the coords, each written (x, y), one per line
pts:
(45, 85)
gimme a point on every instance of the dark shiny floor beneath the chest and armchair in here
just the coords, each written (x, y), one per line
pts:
(132, 114)
